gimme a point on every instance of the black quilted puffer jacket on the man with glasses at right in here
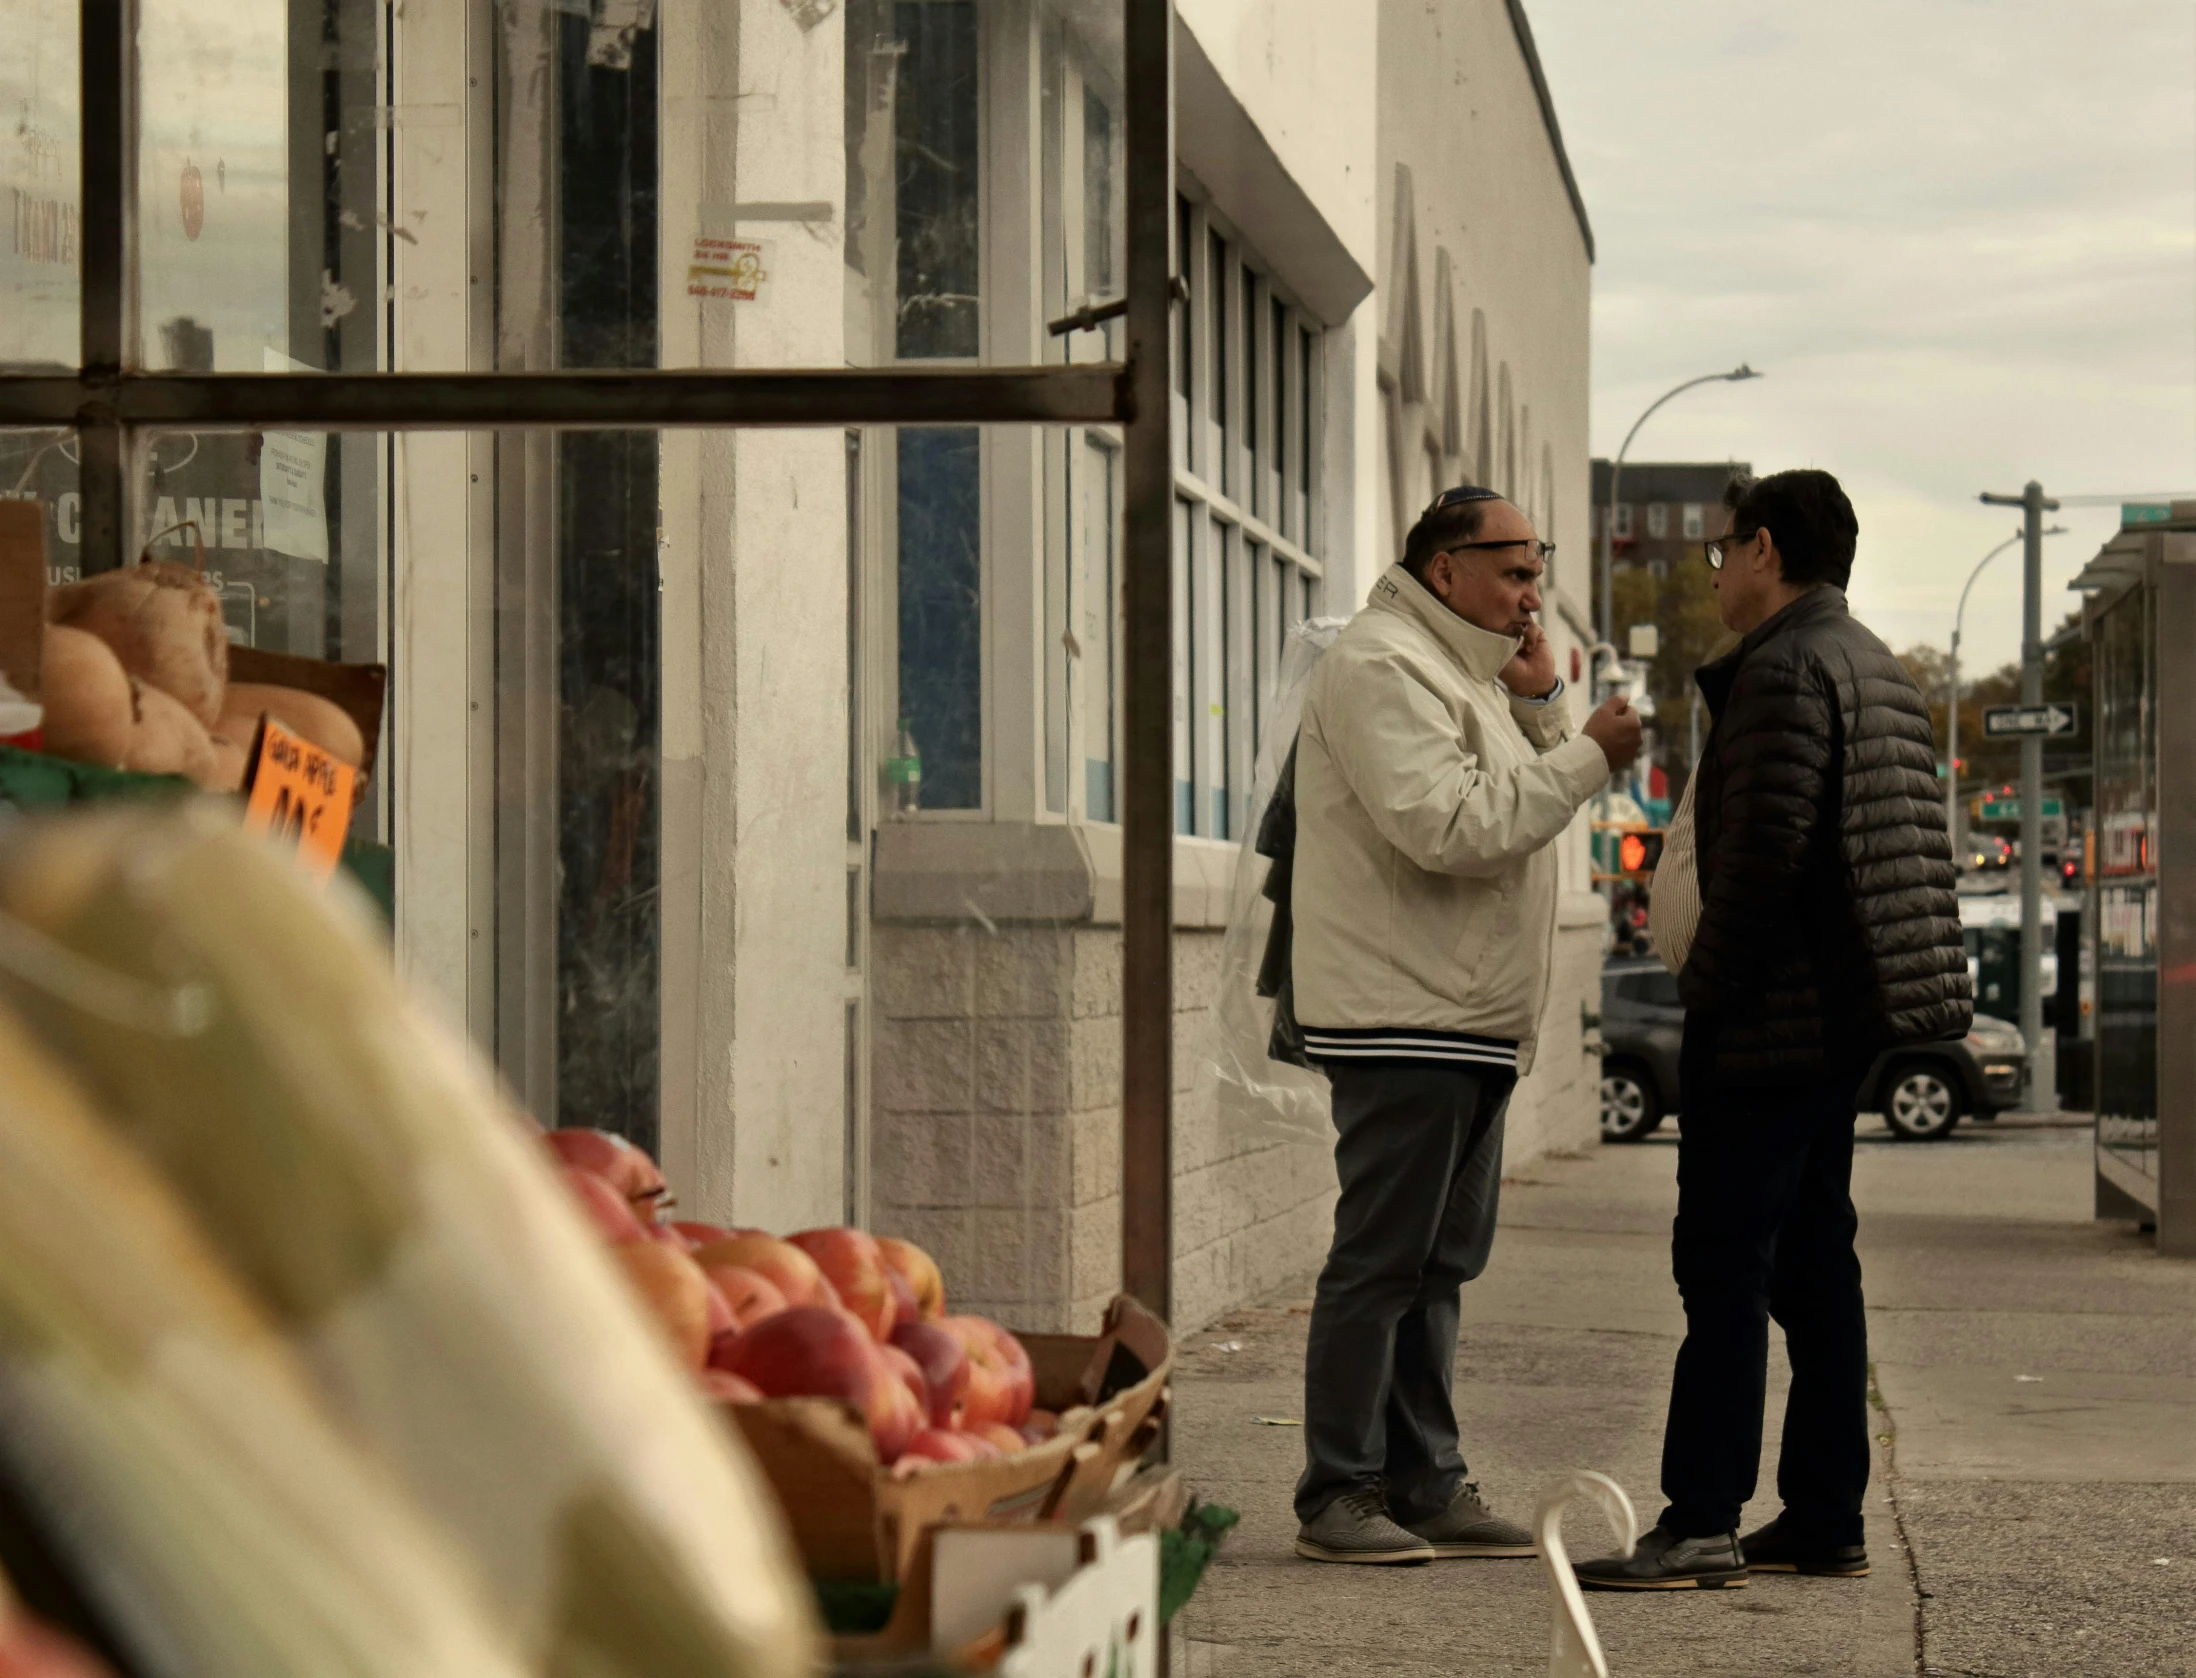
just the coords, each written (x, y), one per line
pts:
(1826, 880)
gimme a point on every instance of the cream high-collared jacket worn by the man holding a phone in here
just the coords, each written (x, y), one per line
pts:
(1426, 798)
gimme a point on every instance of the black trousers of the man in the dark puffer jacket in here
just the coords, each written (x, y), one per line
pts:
(1767, 1231)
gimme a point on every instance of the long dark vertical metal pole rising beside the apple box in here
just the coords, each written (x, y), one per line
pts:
(1147, 976)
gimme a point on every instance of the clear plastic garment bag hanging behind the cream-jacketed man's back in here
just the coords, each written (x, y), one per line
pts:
(1251, 1064)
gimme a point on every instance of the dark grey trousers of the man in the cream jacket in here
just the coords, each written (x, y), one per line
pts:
(1420, 1154)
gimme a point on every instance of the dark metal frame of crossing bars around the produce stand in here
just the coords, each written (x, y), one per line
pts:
(111, 405)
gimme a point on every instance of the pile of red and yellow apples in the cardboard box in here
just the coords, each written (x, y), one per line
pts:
(831, 1315)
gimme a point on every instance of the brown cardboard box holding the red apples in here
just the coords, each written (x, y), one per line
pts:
(858, 1521)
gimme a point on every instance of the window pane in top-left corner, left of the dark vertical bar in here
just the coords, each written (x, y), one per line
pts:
(38, 262)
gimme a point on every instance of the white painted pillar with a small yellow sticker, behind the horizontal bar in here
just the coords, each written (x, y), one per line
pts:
(754, 640)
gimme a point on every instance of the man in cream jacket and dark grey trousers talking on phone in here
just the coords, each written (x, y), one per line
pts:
(1433, 770)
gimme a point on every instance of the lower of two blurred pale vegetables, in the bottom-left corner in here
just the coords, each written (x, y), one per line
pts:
(170, 1444)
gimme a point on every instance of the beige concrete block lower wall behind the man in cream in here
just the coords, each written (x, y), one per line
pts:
(996, 1126)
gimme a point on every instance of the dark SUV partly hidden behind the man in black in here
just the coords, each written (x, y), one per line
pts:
(1920, 1088)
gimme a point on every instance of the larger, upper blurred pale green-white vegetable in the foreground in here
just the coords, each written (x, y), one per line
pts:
(361, 1174)
